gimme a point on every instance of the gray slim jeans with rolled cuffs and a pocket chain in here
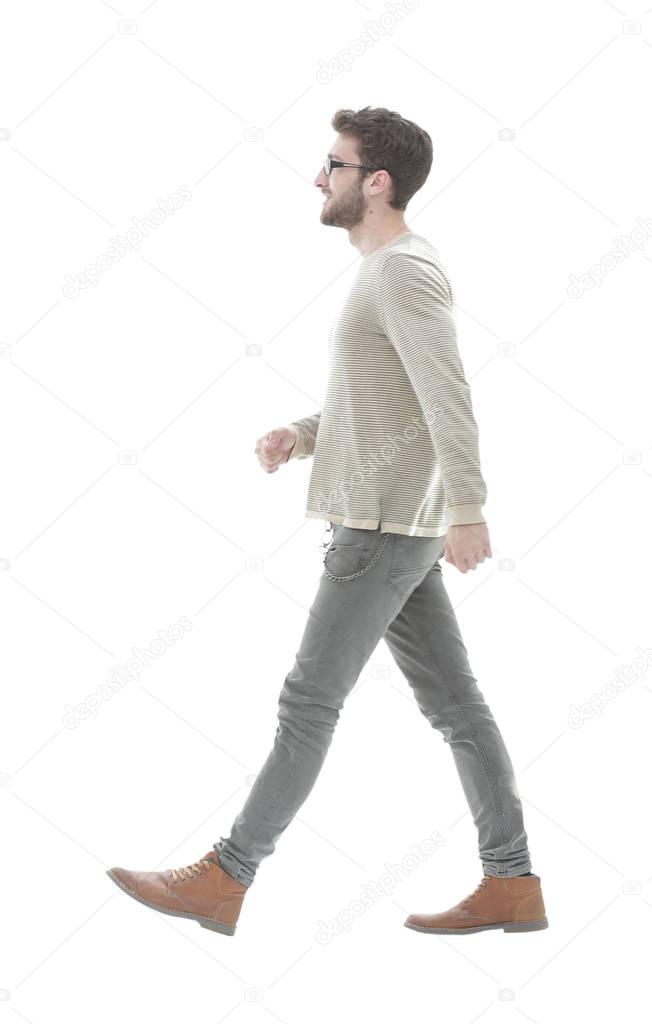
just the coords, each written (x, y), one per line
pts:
(378, 586)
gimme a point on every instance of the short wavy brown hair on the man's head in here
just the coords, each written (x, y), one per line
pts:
(387, 142)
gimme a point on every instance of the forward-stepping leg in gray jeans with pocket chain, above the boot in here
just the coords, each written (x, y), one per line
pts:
(345, 624)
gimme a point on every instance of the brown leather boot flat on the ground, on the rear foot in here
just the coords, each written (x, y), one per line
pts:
(515, 905)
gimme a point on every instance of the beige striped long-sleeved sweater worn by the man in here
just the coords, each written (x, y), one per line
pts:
(396, 444)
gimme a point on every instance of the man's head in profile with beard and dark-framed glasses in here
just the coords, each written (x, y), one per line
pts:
(398, 157)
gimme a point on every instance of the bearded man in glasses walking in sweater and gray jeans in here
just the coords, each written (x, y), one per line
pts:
(397, 475)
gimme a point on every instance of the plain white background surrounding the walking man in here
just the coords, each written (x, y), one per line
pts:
(133, 497)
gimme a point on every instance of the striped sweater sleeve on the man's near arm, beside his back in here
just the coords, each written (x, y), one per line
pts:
(416, 310)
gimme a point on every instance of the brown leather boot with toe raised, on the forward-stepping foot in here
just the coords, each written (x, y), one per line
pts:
(202, 891)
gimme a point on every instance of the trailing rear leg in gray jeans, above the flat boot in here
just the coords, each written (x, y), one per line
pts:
(427, 646)
